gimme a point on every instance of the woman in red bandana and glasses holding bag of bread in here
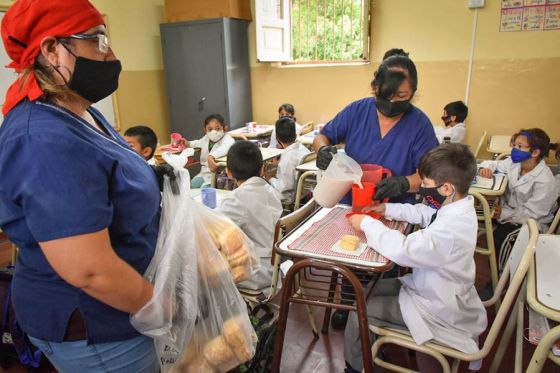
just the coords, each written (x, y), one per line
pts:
(80, 204)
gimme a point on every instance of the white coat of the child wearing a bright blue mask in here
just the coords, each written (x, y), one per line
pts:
(532, 195)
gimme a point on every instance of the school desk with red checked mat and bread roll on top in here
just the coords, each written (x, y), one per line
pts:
(314, 244)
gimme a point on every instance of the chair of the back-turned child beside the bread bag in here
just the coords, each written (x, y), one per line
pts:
(284, 226)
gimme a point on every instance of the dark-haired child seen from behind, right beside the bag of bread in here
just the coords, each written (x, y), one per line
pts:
(254, 206)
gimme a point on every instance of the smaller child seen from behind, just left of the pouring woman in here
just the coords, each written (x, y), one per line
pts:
(285, 179)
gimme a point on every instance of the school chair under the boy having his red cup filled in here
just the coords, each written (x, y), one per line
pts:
(520, 259)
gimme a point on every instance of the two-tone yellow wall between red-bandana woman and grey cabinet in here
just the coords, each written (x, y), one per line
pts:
(133, 27)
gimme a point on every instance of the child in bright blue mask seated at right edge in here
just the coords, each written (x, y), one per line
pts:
(531, 192)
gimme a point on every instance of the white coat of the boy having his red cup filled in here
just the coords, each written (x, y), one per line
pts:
(438, 300)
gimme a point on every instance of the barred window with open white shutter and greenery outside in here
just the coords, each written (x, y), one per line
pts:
(312, 31)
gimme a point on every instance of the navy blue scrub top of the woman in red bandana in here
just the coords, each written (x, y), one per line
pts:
(61, 178)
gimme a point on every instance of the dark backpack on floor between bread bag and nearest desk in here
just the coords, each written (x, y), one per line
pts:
(265, 324)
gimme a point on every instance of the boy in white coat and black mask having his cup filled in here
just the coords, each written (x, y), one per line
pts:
(438, 300)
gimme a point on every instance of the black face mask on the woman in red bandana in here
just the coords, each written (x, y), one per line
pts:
(94, 80)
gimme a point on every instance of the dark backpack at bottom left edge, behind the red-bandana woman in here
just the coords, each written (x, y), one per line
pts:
(14, 344)
